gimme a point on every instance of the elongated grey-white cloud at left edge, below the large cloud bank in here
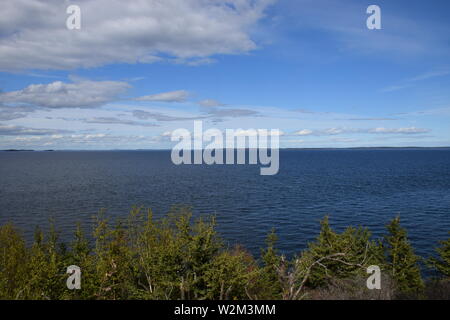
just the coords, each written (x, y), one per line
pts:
(80, 94)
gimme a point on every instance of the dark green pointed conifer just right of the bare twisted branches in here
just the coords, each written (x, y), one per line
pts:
(401, 262)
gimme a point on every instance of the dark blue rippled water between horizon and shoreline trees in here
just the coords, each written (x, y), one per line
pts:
(355, 187)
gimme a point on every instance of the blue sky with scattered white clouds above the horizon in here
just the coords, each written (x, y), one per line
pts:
(137, 70)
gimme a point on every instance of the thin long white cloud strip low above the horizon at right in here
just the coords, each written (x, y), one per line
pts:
(381, 130)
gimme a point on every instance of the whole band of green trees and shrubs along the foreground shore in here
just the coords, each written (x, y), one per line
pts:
(178, 257)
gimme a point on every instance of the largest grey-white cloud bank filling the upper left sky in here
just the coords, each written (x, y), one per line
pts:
(33, 34)
